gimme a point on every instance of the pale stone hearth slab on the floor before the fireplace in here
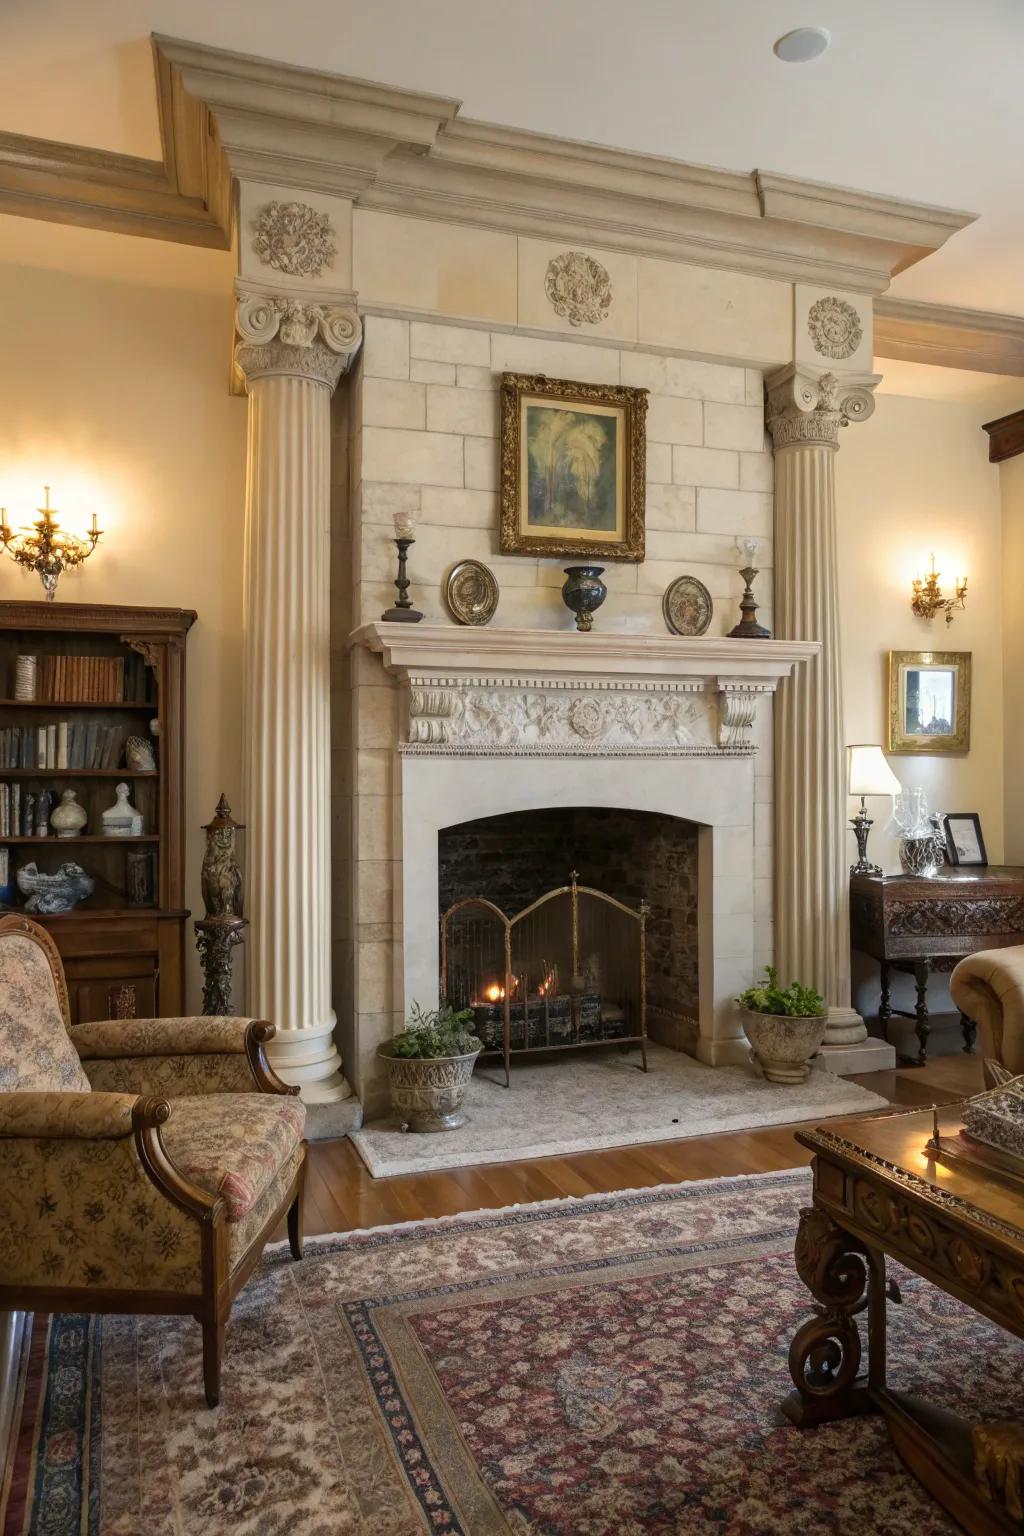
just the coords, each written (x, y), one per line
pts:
(603, 1099)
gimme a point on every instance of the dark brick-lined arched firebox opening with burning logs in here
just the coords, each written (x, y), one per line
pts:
(639, 972)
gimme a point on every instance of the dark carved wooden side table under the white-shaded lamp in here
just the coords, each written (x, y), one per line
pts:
(917, 925)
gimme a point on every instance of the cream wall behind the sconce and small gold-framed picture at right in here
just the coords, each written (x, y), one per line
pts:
(911, 480)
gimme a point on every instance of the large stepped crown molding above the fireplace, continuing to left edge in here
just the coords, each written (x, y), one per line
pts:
(228, 116)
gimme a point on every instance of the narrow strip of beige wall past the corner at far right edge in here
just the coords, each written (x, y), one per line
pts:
(1012, 495)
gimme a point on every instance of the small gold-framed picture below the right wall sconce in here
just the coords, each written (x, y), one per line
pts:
(930, 703)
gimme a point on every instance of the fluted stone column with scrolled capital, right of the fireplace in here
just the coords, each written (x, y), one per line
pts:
(805, 414)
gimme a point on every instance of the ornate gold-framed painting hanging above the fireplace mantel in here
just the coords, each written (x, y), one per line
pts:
(573, 469)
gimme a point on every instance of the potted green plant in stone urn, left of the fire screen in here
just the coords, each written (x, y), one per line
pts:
(429, 1068)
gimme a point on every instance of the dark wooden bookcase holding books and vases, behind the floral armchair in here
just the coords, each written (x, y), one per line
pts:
(121, 959)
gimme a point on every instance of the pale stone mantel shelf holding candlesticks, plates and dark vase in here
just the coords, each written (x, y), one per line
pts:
(420, 650)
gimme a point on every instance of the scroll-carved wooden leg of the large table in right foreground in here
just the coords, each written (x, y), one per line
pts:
(827, 1352)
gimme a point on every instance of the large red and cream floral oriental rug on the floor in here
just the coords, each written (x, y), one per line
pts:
(609, 1368)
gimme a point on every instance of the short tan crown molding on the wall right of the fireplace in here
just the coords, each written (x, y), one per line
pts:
(946, 337)
